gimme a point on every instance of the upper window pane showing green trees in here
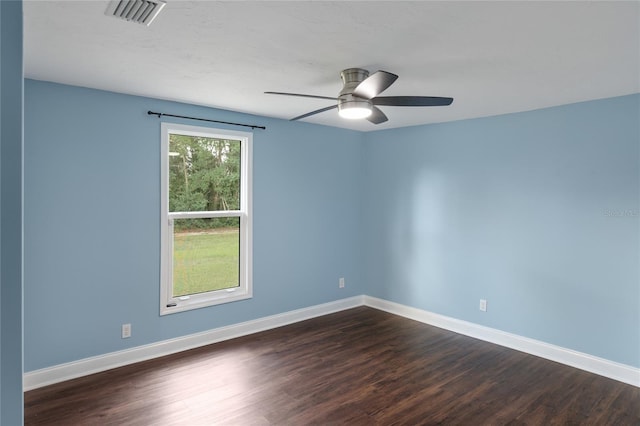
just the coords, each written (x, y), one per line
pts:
(204, 173)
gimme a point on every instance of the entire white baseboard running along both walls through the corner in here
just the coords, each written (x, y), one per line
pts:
(83, 367)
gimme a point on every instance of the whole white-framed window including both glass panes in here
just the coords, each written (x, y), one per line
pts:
(206, 217)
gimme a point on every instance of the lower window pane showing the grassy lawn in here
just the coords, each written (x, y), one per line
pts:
(206, 255)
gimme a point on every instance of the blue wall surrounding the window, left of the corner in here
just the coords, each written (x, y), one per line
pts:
(92, 197)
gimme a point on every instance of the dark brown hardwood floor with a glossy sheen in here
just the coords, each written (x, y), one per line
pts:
(356, 367)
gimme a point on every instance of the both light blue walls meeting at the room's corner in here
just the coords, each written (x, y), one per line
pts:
(536, 212)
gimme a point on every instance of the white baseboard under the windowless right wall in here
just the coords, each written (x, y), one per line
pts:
(603, 367)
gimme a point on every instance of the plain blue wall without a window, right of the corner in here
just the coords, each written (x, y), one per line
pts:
(536, 212)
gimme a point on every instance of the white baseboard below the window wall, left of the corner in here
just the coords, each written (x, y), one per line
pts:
(84, 367)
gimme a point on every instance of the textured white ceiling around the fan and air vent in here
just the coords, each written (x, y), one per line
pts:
(491, 57)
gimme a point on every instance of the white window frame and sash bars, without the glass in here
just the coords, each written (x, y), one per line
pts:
(168, 303)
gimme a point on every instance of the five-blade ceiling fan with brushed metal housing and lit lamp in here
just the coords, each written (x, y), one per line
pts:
(359, 96)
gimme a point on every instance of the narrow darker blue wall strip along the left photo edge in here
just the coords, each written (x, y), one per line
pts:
(11, 102)
